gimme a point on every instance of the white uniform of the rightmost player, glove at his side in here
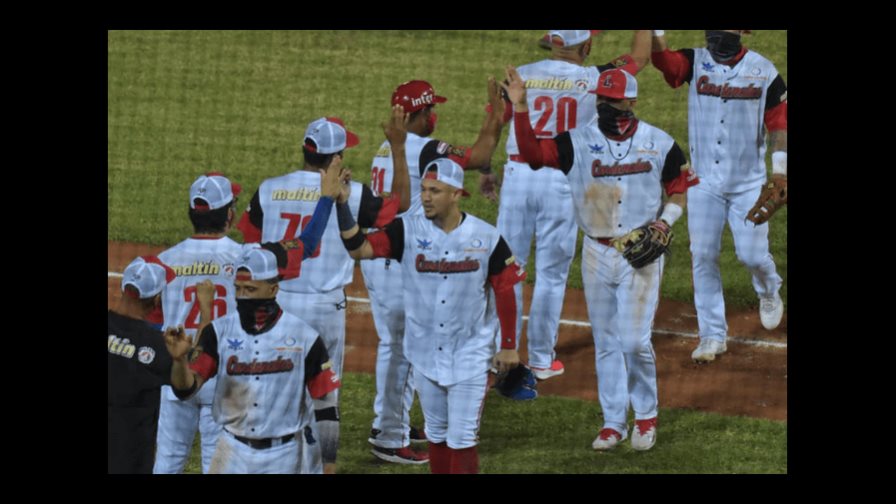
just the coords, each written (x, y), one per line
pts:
(727, 109)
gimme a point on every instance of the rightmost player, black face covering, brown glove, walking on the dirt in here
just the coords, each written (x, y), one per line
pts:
(735, 95)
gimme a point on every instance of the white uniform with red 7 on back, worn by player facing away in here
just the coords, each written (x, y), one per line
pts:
(281, 208)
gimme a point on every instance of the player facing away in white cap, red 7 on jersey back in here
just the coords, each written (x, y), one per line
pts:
(278, 209)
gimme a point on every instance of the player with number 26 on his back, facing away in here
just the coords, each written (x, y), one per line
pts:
(207, 255)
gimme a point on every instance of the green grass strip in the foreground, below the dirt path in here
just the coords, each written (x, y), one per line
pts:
(553, 435)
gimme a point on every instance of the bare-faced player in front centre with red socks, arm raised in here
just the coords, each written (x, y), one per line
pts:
(448, 259)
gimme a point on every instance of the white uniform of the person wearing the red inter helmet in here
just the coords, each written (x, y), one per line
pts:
(383, 277)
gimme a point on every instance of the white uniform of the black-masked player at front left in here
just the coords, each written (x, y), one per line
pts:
(264, 379)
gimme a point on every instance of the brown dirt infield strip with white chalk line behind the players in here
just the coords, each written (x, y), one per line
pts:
(750, 379)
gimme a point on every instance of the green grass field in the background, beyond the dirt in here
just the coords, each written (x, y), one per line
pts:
(185, 102)
